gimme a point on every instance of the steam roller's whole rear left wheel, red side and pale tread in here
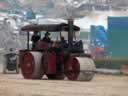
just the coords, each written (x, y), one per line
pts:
(31, 66)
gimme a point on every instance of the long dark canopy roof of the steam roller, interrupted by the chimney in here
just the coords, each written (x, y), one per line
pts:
(48, 27)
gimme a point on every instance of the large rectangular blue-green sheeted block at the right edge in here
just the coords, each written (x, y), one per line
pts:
(118, 36)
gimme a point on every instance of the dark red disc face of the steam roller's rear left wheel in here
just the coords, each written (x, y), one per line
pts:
(28, 66)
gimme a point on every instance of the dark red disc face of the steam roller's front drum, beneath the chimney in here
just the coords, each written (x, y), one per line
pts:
(73, 69)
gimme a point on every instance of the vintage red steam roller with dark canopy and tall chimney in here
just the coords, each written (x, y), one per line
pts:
(56, 59)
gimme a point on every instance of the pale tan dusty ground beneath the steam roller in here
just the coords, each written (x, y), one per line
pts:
(101, 85)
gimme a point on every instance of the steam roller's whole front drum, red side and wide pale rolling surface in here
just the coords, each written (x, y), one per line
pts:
(80, 68)
